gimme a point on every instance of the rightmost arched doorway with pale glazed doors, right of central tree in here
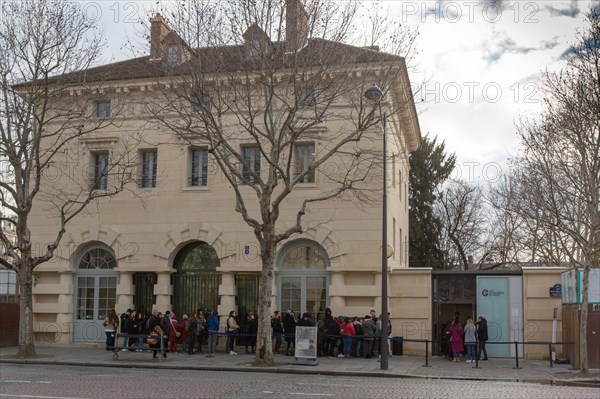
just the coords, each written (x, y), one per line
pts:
(302, 279)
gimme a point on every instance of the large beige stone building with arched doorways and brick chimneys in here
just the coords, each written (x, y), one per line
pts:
(174, 241)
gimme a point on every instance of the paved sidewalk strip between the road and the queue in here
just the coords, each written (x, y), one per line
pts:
(536, 371)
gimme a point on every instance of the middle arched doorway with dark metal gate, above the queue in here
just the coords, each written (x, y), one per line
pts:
(196, 282)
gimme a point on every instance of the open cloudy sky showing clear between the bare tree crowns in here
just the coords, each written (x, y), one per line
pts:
(481, 61)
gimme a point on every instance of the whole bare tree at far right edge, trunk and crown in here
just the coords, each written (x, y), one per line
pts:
(559, 168)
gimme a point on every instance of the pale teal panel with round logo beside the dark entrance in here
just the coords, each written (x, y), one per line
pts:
(493, 304)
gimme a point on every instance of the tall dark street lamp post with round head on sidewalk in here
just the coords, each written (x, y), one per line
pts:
(375, 94)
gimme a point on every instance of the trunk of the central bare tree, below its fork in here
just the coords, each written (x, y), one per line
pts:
(264, 348)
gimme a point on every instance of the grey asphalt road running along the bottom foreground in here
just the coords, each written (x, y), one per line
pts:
(67, 382)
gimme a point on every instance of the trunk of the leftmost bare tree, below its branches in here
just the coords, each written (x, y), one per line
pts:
(26, 342)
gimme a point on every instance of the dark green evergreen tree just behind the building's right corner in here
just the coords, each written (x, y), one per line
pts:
(430, 166)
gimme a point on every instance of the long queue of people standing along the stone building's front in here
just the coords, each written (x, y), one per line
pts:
(339, 336)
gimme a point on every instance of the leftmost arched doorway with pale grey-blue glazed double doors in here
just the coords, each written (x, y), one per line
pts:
(95, 291)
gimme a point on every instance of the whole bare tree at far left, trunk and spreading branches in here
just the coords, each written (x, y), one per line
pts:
(41, 118)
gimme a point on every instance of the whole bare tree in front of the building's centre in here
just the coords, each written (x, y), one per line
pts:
(259, 80)
